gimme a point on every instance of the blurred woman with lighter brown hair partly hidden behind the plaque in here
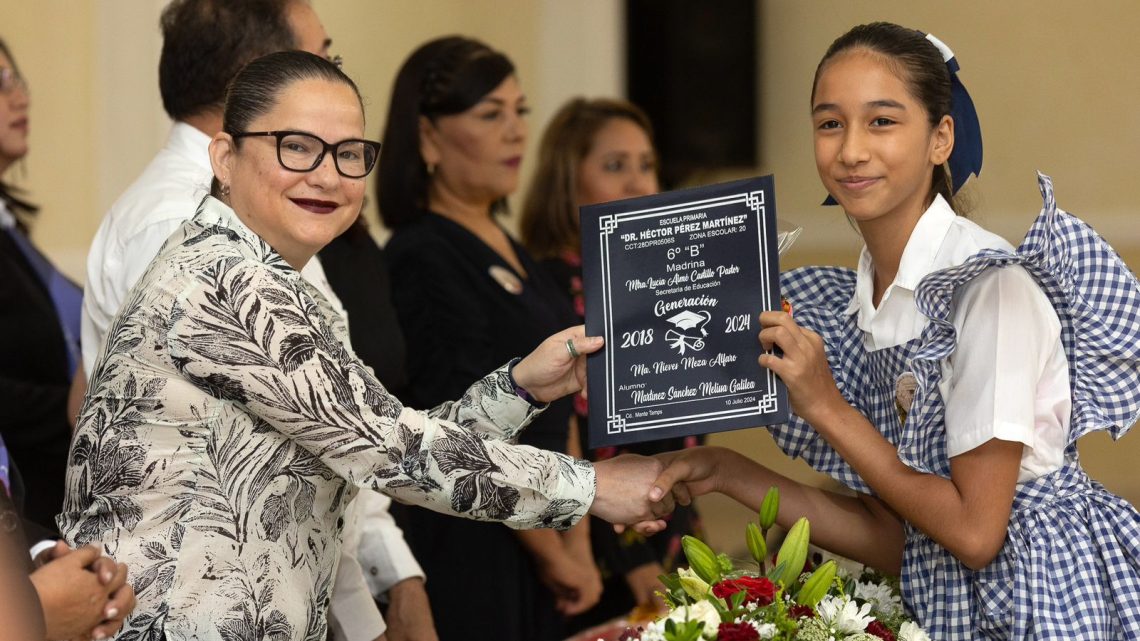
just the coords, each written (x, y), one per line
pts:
(596, 151)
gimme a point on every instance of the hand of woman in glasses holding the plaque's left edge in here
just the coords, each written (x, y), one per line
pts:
(552, 371)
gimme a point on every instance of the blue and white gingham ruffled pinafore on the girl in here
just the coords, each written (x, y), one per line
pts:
(1071, 565)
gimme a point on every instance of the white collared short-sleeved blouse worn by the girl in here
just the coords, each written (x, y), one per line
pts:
(1008, 378)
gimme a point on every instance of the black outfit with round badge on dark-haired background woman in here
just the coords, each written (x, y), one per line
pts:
(466, 312)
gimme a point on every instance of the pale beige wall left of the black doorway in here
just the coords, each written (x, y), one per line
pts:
(97, 117)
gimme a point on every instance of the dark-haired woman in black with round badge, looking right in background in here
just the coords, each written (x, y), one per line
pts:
(468, 296)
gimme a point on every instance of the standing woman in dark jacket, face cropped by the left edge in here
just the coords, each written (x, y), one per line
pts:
(42, 307)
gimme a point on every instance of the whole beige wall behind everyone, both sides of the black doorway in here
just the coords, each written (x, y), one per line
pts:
(1053, 80)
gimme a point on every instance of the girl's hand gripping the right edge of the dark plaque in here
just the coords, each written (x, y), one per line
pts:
(803, 367)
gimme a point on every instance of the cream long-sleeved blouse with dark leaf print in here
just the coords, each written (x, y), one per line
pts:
(227, 426)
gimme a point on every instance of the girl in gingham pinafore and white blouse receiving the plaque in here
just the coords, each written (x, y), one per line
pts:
(949, 378)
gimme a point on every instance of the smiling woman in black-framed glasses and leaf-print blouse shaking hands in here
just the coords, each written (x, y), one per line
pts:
(227, 425)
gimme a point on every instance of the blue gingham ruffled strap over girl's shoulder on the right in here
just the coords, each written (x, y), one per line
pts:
(1097, 299)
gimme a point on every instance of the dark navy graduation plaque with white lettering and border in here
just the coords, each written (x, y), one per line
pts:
(675, 282)
